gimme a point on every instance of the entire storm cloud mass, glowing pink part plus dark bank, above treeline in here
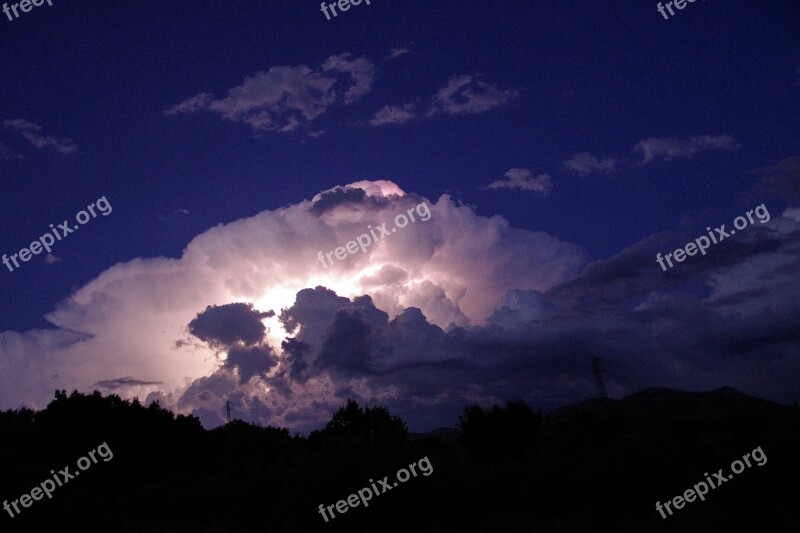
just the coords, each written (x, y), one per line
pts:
(457, 309)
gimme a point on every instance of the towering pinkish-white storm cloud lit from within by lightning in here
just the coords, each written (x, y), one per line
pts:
(141, 317)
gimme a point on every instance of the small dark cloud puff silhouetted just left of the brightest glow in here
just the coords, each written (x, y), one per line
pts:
(222, 325)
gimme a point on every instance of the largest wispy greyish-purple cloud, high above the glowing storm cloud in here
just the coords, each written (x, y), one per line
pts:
(285, 98)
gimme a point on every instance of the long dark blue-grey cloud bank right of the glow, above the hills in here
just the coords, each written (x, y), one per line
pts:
(700, 326)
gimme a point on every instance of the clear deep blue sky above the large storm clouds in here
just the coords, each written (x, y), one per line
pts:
(709, 96)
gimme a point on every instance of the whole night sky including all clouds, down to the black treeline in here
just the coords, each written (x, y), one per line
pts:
(559, 146)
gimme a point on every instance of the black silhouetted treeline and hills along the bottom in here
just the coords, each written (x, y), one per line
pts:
(596, 466)
